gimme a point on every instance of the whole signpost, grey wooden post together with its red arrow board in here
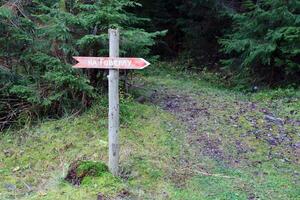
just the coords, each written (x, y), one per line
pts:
(113, 63)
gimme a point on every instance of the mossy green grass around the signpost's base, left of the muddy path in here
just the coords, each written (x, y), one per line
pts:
(35, 160)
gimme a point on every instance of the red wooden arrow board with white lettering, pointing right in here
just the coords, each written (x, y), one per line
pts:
(110, 63)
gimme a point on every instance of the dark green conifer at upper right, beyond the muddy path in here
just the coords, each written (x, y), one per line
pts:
(264, 46)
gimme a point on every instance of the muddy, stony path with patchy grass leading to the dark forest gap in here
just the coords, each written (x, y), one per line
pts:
(229, 130)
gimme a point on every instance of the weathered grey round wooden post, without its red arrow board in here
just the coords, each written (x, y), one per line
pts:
(114, 121)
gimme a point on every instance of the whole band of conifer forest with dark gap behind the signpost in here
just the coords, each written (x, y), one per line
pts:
(248, 43)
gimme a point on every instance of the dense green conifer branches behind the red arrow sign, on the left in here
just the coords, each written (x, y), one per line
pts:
(38, 39)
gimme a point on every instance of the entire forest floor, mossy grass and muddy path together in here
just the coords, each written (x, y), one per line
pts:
(181, 138)
